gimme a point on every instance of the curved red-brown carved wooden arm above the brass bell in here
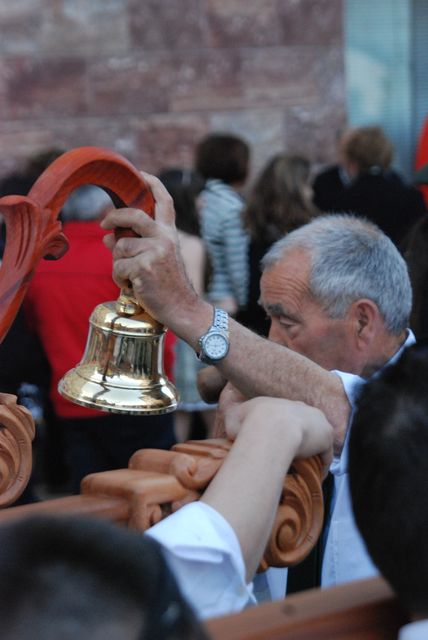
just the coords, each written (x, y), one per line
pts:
(32, 228)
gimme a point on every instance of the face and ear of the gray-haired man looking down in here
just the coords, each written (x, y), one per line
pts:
(298, 321)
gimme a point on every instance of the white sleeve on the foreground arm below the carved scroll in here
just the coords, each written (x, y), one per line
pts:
(204, 554)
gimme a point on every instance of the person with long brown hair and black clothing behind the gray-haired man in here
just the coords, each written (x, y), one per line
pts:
(280, 202)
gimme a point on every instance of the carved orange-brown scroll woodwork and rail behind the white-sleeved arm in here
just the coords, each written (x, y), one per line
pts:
(158, 483)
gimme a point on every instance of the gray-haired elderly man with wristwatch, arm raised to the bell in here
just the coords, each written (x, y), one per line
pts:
(338, 295)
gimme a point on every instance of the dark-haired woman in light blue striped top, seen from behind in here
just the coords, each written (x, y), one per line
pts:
(223, 160)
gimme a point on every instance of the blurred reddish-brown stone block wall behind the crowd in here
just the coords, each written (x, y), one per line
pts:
(149, 78)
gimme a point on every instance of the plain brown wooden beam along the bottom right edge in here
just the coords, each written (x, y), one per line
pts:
(362, 610)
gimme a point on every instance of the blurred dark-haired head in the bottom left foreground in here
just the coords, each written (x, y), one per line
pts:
(77, 577)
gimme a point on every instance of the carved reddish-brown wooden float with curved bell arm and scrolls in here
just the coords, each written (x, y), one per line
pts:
(156, 482)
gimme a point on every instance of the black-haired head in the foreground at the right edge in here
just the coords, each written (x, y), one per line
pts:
(388, 455)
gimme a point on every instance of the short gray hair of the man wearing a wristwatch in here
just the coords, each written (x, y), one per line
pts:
(351, 258)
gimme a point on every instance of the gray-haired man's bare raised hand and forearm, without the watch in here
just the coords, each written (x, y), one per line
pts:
(152, 263)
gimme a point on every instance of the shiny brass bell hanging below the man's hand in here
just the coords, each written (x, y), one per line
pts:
(122, 368)
